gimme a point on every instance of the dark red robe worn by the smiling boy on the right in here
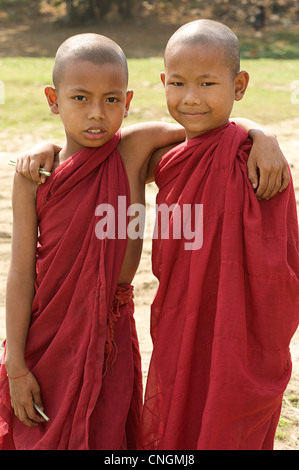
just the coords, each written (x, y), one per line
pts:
(224, 314)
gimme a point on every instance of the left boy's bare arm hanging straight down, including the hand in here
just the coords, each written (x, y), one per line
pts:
(20, 291)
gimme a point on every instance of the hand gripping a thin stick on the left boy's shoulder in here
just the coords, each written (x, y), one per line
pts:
(41, 155)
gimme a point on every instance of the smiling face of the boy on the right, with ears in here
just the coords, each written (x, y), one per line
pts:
(200, 89)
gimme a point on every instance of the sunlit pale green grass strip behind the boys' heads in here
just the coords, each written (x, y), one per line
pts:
(267, 100)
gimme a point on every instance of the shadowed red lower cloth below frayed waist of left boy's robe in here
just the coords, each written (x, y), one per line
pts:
(116, 417)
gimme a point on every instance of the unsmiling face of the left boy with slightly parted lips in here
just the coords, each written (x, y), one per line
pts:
(92, 101)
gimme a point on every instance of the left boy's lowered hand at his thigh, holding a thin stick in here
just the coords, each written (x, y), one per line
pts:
(23, 391)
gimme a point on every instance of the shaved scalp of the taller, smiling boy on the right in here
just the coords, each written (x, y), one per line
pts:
(207, 33)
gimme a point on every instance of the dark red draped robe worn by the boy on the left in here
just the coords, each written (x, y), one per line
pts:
(76, 281)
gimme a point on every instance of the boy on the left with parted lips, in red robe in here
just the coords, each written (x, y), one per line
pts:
(71, 345)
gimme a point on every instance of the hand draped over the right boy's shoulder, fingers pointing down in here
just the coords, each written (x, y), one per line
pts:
(267, 168)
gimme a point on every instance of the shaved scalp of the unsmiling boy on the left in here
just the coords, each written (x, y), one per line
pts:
(88, 47)
